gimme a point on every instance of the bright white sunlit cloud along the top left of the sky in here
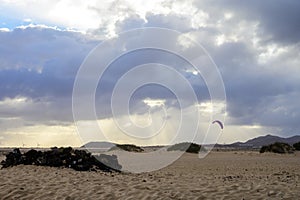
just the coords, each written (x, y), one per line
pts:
(87, 16)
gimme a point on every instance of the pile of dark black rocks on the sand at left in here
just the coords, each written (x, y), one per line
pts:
(79, 160)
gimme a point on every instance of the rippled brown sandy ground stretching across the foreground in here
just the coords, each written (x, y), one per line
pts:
(220, 175)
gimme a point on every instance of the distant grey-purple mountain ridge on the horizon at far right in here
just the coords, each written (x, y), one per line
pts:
(266, 140)
